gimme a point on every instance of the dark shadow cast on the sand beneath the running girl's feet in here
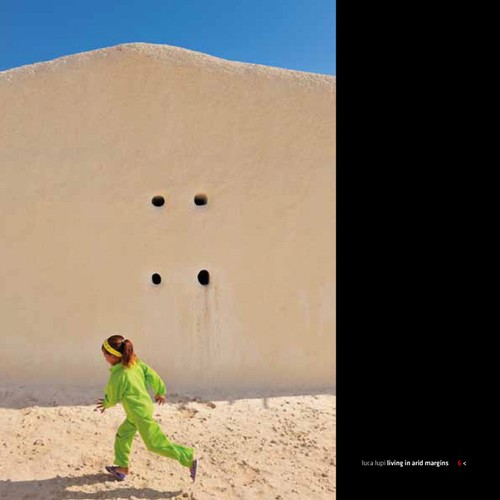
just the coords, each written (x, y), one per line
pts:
(57, 488)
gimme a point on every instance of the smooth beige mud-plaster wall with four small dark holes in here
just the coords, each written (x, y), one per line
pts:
(87, 141)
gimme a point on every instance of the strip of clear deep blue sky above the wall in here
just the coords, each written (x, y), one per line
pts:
(292, 34)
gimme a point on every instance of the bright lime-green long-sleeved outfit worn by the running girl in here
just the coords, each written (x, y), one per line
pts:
(130, 387)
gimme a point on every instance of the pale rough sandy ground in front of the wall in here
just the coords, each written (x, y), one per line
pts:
(54, 445)
